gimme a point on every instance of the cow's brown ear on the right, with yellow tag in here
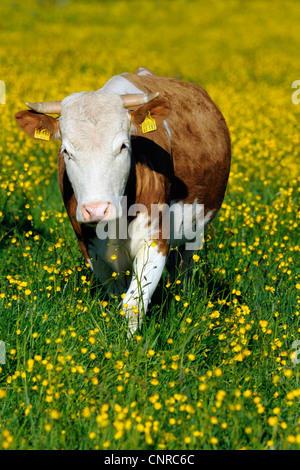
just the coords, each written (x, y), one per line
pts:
(156, 110)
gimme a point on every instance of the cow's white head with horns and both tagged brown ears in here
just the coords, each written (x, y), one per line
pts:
(95, 129)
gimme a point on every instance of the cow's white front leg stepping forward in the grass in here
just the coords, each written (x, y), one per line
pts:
(148, 267)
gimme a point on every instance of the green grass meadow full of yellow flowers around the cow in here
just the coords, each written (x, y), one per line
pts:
(214, 366)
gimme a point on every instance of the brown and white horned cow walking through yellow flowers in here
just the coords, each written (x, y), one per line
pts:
(150, 140)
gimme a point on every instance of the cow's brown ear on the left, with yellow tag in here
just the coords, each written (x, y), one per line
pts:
(38, 126)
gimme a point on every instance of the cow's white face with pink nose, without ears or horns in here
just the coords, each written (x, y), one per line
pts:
(95, 133)
